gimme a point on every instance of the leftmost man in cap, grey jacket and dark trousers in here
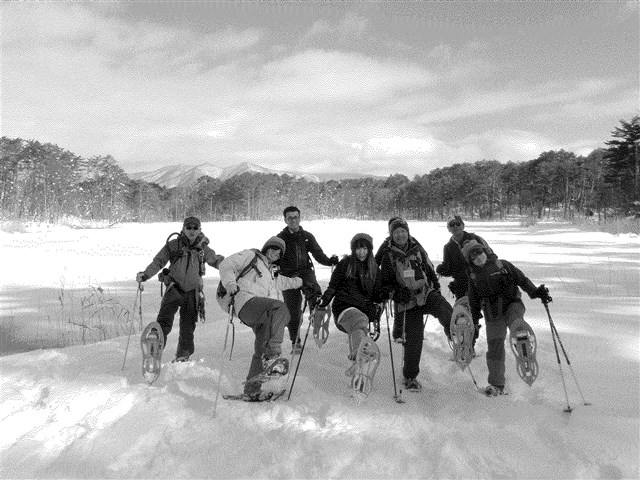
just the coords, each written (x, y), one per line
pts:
(187, 256)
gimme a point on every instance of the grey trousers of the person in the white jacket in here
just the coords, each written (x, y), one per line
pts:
(267, 318)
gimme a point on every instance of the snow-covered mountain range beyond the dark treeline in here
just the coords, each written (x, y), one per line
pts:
(180, 175)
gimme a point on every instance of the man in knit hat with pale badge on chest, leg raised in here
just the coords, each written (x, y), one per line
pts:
(407, 271)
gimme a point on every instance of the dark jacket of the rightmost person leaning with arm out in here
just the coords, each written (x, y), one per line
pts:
(494, 286)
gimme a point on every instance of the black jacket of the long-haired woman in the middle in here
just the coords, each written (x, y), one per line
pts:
(361, 292)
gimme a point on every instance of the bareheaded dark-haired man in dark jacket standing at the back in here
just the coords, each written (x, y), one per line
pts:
(296, 263)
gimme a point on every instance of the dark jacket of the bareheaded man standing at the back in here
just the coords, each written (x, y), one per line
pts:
(296, 259)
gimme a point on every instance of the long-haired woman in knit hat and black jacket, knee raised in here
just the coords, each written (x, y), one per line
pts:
(355, 290)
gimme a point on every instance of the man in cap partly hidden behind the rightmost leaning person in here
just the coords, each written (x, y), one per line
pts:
(453, 262)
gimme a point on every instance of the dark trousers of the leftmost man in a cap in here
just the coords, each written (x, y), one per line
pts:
(175, 298)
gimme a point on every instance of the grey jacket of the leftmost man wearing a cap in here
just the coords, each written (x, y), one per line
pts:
(185, 259)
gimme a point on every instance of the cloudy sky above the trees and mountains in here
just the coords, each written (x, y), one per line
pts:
(316, 87)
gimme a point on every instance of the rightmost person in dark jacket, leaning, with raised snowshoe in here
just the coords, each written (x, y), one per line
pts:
(493, 290)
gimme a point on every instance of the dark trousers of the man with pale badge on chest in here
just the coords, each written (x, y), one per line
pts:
(435, 305)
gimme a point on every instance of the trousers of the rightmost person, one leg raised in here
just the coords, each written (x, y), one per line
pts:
(513, 318)
